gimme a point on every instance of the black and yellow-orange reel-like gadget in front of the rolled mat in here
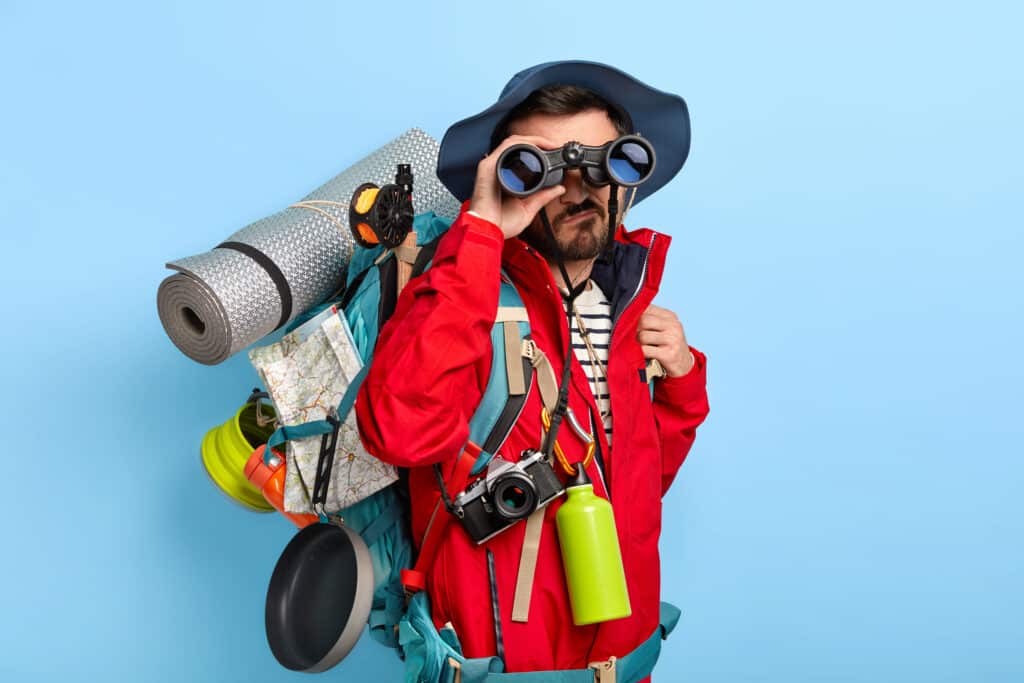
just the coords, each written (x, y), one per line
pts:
(383, 216)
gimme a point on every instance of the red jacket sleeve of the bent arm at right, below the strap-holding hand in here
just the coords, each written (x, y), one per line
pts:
(680, 406)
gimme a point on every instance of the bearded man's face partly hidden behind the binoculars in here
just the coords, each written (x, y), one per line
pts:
(579, 219)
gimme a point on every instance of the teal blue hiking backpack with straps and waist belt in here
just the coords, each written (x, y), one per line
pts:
(398, 619)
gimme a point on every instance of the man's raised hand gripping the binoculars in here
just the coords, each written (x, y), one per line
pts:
(511, 215)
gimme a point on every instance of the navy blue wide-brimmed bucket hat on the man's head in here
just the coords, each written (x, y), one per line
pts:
(661, 117)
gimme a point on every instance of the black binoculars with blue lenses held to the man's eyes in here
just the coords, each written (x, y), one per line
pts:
(525, 169)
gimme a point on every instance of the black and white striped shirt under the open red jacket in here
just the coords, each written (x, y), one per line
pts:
(595, 313)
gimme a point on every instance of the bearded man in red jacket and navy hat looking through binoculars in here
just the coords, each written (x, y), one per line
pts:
(434, 358)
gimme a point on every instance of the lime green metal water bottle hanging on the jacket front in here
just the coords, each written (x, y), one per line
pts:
(590, 554)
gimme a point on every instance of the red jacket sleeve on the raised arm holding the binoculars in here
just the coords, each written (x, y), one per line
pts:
(434, 356)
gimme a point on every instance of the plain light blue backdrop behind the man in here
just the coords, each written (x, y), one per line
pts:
(847, 250)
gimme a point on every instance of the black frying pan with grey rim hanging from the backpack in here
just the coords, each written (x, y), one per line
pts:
(320, 597)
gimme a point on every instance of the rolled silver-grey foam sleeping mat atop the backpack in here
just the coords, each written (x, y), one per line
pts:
(269, 273)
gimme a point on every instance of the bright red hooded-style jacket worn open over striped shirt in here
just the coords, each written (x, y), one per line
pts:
(430, 371)
